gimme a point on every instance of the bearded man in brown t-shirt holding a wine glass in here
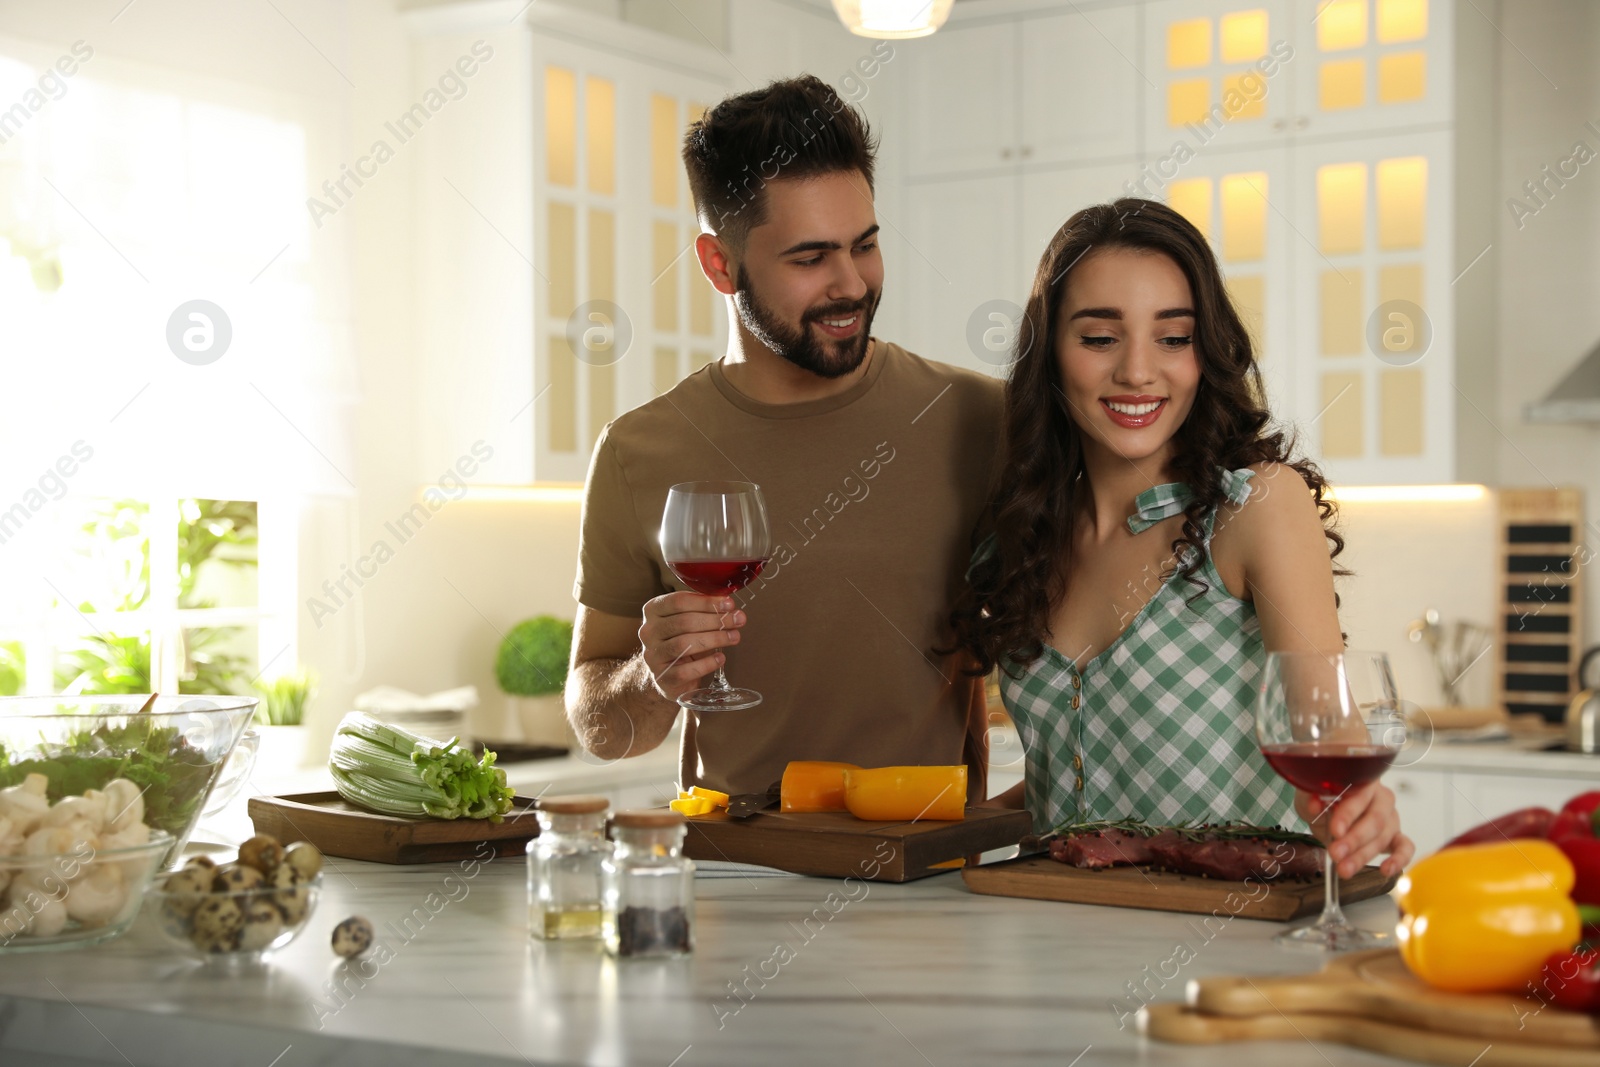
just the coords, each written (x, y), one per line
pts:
(874, 465)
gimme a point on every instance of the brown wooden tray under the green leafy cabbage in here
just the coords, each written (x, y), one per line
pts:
(342, 829)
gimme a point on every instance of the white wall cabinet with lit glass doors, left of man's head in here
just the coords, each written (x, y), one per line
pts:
(556, 218)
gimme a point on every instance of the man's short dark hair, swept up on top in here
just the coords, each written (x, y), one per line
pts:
(793, 129)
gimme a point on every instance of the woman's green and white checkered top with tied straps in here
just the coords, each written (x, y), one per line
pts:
(1161, 725)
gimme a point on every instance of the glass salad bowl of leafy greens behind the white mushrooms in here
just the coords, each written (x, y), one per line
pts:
(188, 756)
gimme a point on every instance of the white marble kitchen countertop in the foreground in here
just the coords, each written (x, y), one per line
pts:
(921, 973)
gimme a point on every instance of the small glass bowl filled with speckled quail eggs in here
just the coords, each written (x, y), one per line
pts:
(239, 913)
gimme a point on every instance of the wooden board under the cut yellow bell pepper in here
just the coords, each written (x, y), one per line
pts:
(838, 844)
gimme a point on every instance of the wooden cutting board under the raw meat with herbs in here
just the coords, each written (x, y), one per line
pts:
(1044, 879)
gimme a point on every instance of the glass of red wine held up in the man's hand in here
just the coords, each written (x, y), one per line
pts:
(716, 540)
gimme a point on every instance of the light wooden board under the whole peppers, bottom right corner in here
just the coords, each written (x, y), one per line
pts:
(1370, 1001)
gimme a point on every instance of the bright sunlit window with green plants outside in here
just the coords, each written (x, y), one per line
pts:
(145, 494)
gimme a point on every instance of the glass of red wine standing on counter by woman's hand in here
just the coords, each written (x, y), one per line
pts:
(1329, 724)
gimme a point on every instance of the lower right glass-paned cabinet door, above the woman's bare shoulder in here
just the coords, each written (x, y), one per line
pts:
(1372, 270)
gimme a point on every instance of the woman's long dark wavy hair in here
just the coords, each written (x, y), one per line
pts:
(1002, 613)
